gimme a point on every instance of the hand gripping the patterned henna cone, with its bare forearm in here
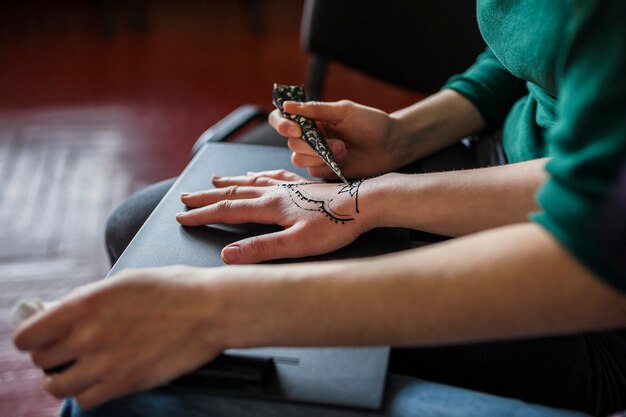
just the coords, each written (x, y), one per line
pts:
(368, 141)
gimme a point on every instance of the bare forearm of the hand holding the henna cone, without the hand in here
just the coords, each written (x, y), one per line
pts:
(433, 124)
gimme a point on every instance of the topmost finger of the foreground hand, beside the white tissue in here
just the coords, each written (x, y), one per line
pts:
(46, 327)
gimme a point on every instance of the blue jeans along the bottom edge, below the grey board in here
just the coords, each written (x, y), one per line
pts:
(405, 397)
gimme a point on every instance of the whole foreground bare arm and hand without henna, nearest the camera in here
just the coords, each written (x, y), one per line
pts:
(510, 282)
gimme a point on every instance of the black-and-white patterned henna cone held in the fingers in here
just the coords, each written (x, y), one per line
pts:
(310, 133)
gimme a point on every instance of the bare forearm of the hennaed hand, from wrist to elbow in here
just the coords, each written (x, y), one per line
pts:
(454, 203)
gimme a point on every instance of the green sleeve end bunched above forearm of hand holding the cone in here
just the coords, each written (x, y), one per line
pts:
(490, 87)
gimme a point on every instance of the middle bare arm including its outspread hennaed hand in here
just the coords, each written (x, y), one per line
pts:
(450, 203)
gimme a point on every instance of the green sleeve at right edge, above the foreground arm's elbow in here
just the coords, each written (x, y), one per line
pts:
(583, 201)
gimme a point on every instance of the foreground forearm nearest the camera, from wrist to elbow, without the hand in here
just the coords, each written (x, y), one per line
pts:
(506, 283)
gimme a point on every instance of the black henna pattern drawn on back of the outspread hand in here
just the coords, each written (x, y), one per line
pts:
(304, 200)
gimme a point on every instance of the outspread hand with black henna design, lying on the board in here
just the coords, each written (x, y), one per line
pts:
(317, 217)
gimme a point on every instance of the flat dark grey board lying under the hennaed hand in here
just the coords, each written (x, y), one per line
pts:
(340, 376)
